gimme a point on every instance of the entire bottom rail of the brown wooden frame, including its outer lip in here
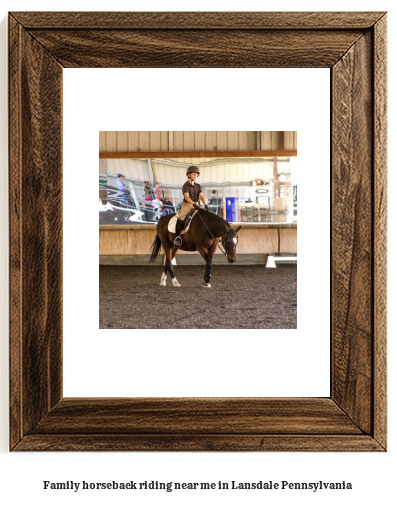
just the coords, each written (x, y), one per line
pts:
(196, 424)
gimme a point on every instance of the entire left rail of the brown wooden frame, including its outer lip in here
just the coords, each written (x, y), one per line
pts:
(36, 230)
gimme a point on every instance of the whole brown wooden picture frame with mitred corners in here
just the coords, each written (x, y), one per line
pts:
(353, 46)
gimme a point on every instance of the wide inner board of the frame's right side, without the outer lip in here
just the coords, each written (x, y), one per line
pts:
(352, 233)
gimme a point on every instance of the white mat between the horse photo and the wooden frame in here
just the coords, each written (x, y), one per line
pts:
(236, 363)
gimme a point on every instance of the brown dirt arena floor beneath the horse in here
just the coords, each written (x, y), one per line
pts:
(241, 297)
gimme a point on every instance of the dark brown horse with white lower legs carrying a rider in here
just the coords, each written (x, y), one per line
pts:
(205, 232)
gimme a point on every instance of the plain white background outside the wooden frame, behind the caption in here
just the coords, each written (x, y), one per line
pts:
(21, 475)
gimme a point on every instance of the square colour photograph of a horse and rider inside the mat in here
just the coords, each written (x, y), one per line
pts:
(195, 214)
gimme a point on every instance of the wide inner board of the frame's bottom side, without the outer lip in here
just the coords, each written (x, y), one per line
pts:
(195, 416)
